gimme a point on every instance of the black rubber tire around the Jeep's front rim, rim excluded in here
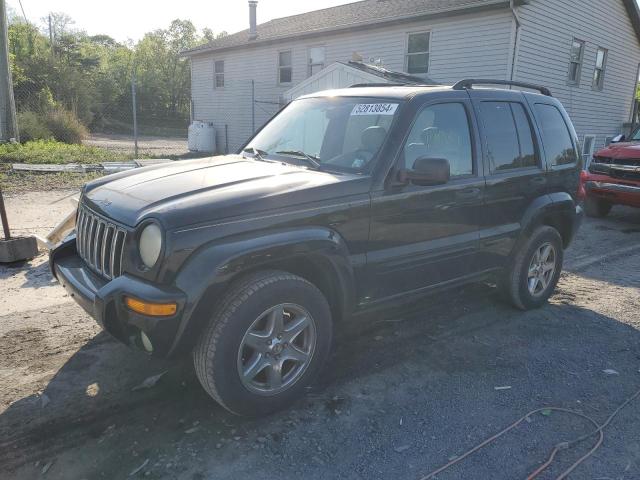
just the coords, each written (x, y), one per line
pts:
(216, 353)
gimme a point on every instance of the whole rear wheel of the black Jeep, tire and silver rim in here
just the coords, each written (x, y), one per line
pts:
(535, 269)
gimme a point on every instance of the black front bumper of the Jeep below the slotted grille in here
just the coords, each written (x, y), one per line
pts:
(104, 301)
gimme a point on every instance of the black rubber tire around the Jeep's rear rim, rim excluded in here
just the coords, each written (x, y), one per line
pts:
(515, 283)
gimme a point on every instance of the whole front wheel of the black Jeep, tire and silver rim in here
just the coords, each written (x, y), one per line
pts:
(268, 339)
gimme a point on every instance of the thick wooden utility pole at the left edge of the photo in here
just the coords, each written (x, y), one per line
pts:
(8, 123)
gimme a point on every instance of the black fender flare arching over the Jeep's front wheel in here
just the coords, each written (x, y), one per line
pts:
(208, 271)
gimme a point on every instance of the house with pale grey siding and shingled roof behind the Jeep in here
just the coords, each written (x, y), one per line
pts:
(586, 51)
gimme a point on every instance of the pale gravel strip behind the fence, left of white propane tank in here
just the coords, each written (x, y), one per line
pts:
(146, 145)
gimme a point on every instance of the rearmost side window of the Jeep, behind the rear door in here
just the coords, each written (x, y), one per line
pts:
(555, 136)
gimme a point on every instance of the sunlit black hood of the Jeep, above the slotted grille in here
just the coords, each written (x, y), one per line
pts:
(190, 192)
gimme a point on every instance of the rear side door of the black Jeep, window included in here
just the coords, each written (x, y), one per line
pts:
(514, 170)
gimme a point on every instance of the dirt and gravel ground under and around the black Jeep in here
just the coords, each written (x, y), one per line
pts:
(405, 391)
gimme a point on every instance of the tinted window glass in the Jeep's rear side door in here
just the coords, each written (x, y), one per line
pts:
(508, 137)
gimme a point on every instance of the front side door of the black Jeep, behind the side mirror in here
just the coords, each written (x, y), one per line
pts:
(423, 236)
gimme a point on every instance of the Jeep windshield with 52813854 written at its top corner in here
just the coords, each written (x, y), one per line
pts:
(334, 133)
